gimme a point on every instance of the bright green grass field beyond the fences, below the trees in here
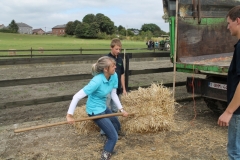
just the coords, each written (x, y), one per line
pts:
(10, 41)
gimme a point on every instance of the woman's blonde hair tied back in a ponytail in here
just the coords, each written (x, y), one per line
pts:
(103, 62)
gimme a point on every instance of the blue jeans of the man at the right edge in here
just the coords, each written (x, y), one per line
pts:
(233, 146)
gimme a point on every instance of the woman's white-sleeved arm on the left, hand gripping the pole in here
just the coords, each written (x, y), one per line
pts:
(76, 98)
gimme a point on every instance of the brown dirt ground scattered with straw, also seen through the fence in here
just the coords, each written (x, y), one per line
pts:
(196, 135)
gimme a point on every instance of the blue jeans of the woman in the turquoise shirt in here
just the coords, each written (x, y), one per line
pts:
(110, 126)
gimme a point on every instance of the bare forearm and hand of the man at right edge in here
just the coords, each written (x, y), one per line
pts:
(233, 105)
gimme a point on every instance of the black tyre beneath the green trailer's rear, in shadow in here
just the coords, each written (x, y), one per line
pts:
(218, 107)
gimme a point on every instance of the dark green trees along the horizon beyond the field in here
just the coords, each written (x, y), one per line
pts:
(102, 27)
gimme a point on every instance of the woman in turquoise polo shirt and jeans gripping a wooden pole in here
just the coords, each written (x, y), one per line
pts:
(105, 81)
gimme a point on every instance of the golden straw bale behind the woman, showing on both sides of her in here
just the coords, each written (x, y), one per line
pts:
(153, 107)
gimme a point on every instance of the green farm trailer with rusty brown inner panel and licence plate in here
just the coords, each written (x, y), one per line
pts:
(203, 45)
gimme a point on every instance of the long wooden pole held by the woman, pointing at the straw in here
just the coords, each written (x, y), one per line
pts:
(65, 122)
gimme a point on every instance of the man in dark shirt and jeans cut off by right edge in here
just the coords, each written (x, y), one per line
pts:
(231, 116)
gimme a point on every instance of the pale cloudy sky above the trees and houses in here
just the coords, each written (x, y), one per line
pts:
(46, 14)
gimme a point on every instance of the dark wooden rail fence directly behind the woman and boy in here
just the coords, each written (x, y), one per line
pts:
(51, 79)
